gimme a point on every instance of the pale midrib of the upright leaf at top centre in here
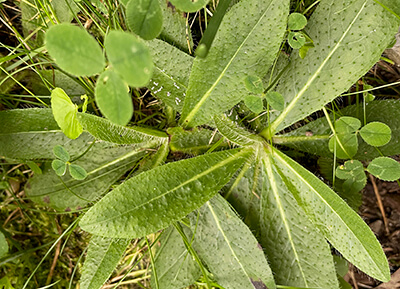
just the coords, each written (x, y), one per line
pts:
(197, 107)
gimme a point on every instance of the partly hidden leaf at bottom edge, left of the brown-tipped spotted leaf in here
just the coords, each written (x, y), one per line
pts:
(174, 265)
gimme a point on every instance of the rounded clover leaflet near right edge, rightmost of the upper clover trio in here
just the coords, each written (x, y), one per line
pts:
(376, 134)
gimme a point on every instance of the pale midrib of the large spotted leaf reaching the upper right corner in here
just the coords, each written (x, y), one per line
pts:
(292, 104)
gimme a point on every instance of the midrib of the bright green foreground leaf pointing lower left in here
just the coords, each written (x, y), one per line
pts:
(220, 164)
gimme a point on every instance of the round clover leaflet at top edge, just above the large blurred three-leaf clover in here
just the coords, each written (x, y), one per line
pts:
(144, 18)
